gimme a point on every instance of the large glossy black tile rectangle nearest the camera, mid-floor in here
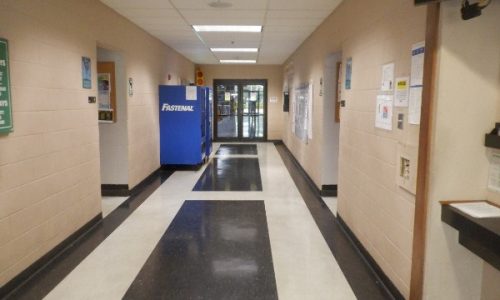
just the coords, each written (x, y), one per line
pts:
(211, 250)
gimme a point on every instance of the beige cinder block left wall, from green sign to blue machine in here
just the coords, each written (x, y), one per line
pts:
(49, 165)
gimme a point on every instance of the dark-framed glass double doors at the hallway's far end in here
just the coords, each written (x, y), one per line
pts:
(240, 109)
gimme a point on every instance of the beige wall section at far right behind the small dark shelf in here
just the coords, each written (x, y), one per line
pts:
(467, 105)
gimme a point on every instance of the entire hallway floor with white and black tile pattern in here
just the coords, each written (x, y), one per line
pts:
(248, 233)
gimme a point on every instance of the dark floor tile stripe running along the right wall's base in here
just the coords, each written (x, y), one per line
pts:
(364, 281)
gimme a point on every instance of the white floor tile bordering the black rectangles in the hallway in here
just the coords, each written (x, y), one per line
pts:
(303, 264)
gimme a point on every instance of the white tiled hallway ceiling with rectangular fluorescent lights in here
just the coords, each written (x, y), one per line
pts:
(286, 24)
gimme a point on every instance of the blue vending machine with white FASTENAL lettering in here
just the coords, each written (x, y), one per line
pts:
(183, 125)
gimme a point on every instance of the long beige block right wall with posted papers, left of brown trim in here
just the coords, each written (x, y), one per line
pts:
(378, 211)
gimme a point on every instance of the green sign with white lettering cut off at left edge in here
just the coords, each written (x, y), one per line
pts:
(5, 103)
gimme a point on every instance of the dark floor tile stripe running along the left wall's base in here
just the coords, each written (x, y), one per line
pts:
(43, 280)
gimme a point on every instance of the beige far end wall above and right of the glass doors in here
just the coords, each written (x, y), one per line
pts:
(274, 76)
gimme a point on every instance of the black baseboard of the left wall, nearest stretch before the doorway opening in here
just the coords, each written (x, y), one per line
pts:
(45, 260)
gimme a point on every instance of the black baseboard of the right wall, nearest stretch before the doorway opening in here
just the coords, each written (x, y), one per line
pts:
(385, 281)
